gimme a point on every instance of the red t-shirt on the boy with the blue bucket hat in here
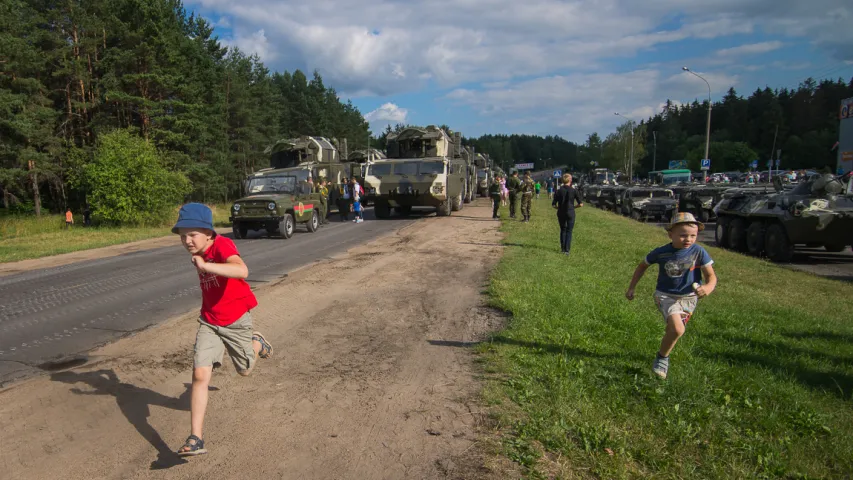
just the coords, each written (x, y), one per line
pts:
(223, 300)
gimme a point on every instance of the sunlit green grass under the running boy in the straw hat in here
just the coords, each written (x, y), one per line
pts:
(759, 386)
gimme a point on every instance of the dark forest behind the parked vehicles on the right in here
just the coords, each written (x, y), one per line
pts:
(801, 122)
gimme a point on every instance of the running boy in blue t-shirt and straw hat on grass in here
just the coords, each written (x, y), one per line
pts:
(679, 283)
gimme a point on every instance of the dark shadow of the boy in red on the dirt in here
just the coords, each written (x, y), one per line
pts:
(134, 404)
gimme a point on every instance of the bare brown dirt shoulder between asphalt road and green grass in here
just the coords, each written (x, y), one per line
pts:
(370, 378)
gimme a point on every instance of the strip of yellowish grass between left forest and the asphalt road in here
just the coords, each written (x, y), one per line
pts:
(23, 237)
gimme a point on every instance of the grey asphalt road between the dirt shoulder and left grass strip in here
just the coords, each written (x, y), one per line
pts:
(48, 316)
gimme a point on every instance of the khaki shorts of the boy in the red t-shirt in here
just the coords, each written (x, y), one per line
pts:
(212, 341)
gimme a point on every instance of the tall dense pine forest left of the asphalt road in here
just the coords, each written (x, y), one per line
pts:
(71, 72)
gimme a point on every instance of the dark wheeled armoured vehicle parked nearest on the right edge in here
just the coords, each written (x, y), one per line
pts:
(818, 212)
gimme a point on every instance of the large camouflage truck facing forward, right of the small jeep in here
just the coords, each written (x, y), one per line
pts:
(421, 171)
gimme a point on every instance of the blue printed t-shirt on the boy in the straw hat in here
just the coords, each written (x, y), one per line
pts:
(679, 268)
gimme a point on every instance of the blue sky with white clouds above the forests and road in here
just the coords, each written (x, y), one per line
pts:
(543, 67)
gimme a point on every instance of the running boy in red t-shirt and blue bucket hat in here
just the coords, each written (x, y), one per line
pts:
(225, 322)
